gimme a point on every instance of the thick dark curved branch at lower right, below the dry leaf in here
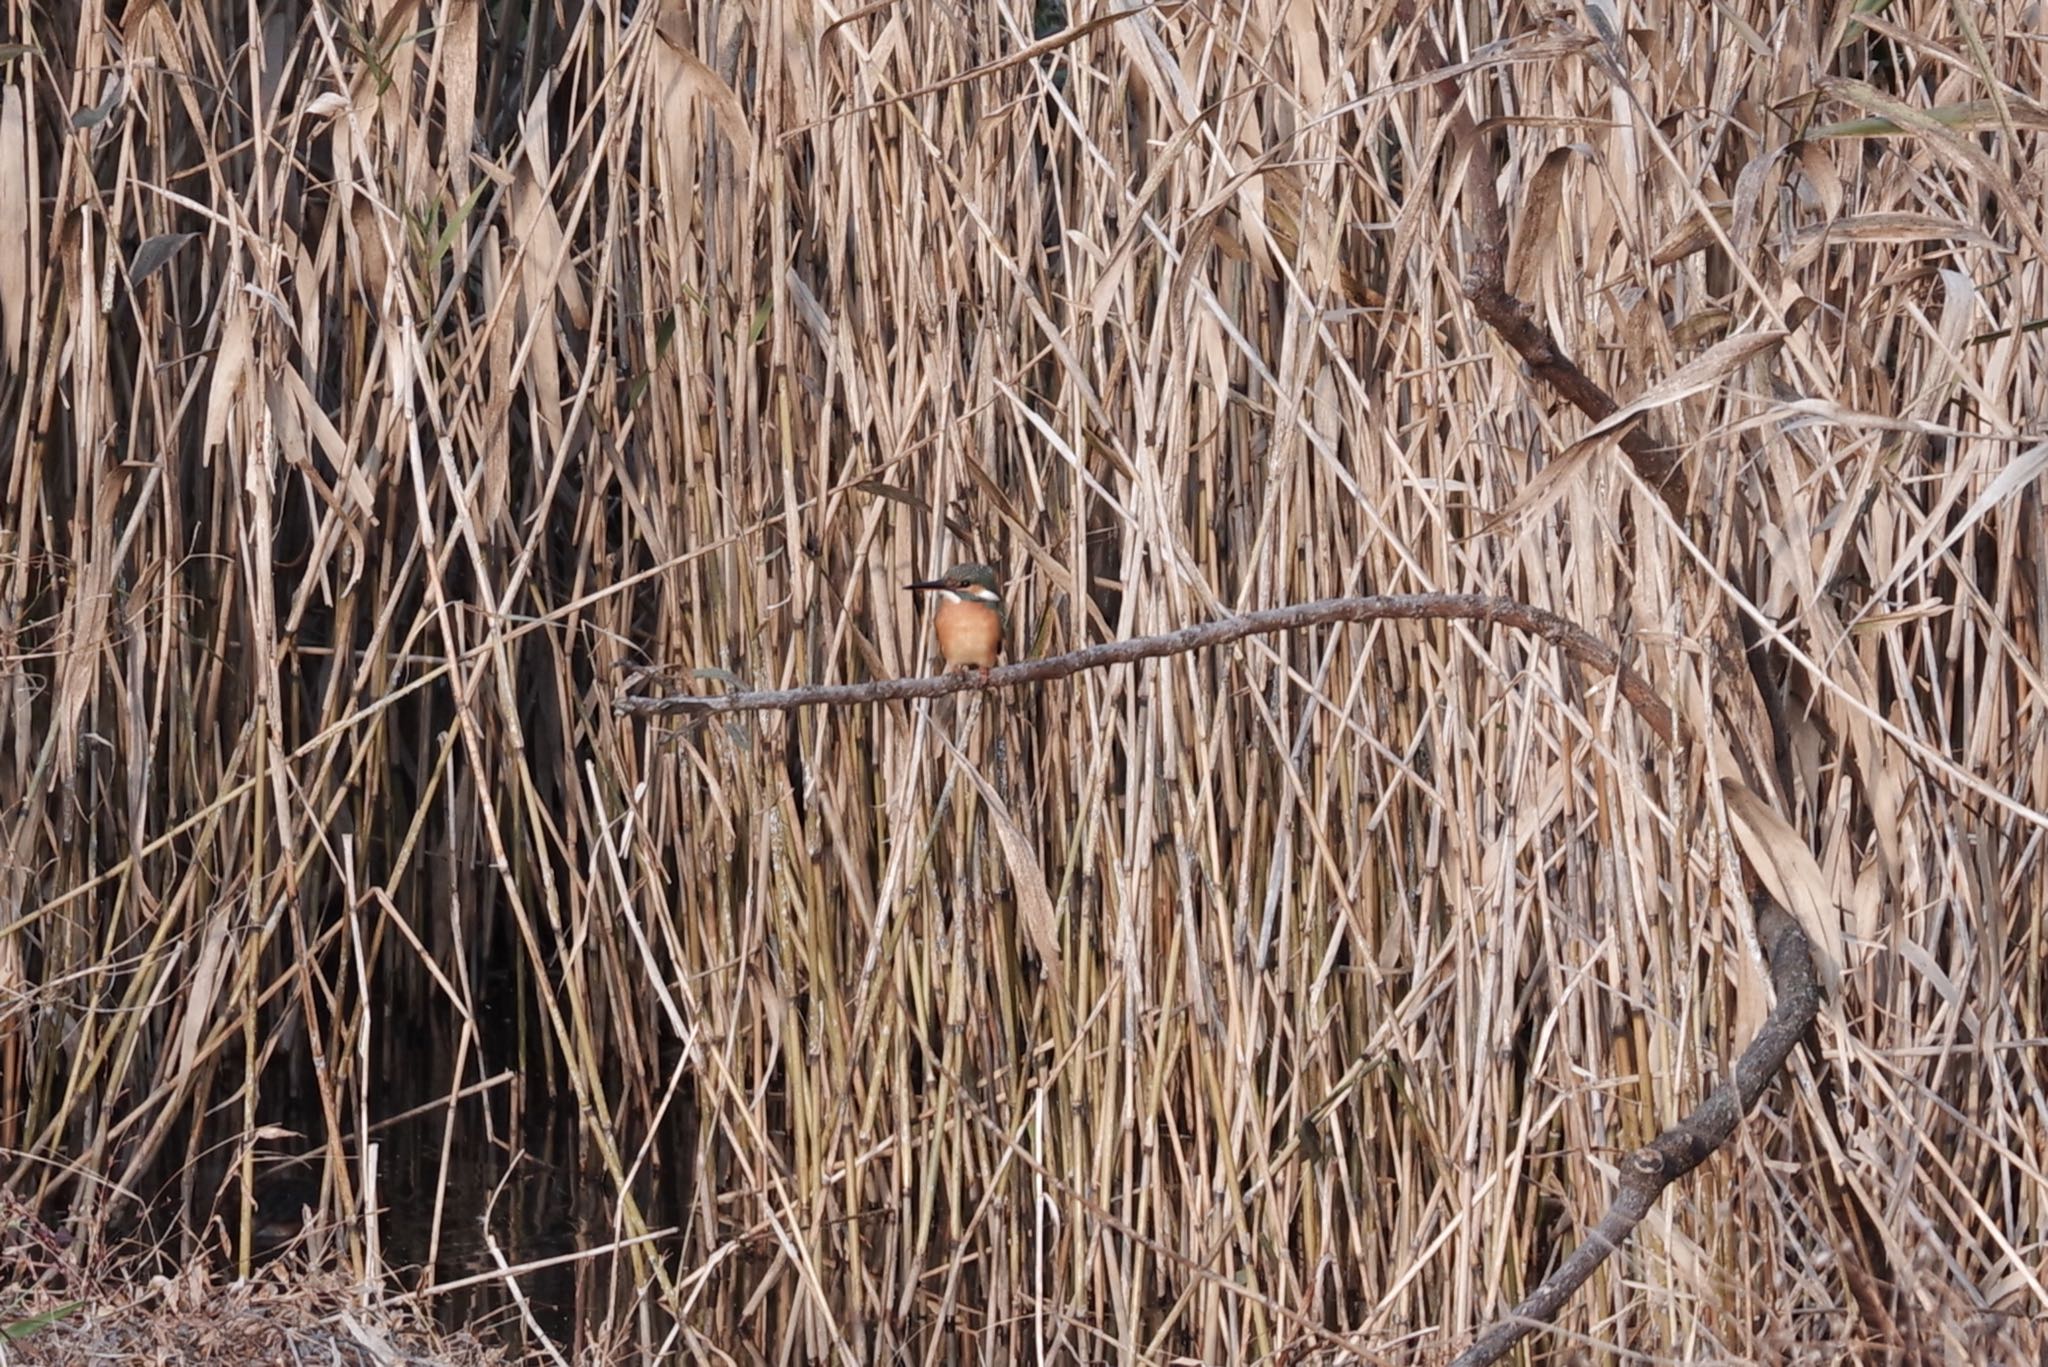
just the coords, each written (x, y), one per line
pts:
(1687, 1145)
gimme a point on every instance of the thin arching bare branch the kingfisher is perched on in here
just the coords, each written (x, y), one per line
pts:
(1574, 640)
